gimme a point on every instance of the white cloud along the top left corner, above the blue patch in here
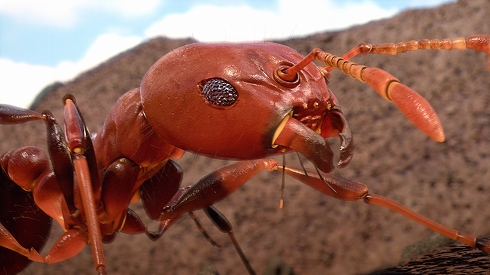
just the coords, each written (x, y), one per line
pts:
(65, 13)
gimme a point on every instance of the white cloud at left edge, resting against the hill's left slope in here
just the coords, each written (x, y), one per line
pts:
(21, 82)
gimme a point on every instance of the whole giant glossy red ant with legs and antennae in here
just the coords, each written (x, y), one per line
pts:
(249, 102)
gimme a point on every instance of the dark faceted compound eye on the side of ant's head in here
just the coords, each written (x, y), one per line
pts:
(219, 92)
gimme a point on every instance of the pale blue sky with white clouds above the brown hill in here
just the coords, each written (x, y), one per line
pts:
(54, 40)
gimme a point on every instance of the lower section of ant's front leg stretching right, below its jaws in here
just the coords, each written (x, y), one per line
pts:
(348, 190)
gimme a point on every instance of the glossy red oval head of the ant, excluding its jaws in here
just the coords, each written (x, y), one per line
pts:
(228, 100)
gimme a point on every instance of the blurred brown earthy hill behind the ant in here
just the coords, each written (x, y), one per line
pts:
(315, 234)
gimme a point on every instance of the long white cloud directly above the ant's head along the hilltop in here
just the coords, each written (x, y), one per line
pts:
(214, 23)
